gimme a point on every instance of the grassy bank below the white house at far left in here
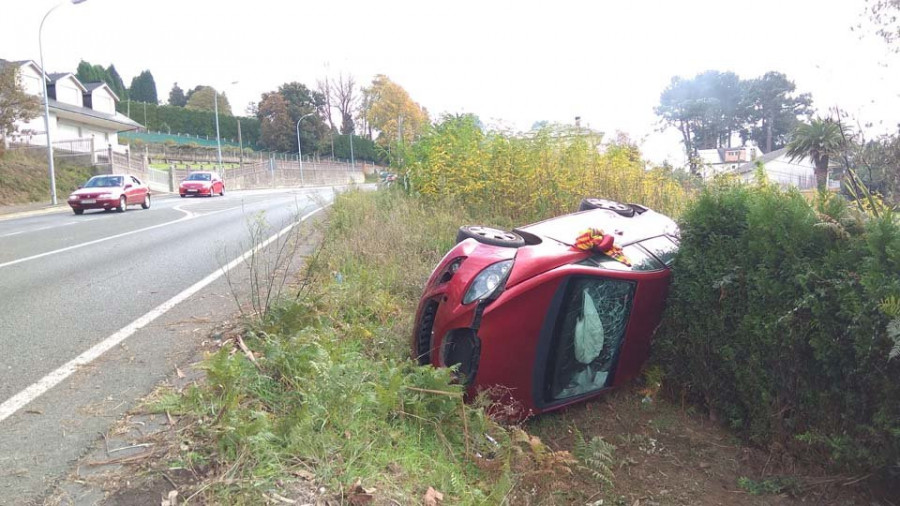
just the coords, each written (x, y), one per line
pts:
(24, 177)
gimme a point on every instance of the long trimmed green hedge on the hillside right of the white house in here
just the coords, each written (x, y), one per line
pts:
(178, 120)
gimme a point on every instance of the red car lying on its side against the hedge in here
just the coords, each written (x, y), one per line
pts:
(516, 341)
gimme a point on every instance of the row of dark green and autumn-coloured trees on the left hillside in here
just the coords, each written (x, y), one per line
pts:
(379, 117)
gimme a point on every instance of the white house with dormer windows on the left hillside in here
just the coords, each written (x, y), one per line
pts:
(83, 116)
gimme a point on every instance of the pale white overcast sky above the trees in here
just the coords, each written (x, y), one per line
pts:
(511, 63)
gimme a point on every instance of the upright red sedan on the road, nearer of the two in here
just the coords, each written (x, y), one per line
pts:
(110, 191)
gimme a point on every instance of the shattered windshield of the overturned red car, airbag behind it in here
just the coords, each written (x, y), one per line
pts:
(588, 335)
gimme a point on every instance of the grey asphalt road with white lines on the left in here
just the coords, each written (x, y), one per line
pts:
(127, 296)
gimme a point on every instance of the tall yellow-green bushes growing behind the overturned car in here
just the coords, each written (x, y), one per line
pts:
(524, 178)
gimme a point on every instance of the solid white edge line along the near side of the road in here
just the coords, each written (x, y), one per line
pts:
(21, 399)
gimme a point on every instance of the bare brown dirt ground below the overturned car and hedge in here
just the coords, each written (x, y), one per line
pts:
(667, 456)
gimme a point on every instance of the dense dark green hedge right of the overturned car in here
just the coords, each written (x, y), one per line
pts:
(781, 319)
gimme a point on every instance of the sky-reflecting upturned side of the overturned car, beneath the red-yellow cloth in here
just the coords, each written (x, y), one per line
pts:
(626, 230)
